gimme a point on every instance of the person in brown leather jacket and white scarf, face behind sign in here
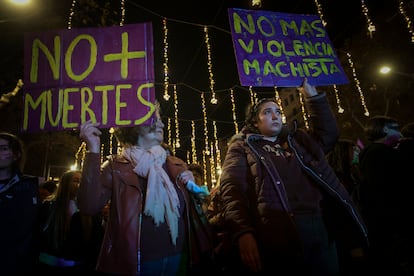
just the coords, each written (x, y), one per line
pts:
(150, 228)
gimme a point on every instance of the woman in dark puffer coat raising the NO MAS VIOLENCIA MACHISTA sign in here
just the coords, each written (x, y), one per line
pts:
(283, 205)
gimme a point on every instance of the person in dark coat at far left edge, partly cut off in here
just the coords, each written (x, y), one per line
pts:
(19, 205)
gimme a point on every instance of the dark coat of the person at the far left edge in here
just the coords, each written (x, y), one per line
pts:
(19, 206)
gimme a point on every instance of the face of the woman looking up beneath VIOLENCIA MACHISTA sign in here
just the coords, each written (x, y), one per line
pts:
(269, 119)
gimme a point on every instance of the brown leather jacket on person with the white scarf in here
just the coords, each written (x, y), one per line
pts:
(116, 181)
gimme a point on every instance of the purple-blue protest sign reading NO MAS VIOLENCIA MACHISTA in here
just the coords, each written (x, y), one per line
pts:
(280, 49)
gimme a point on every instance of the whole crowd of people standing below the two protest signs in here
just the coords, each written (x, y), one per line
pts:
(289, 201)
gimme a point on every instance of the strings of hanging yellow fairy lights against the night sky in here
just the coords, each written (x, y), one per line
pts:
(213, 149)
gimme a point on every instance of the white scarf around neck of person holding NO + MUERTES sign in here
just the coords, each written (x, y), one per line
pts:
(161, 201)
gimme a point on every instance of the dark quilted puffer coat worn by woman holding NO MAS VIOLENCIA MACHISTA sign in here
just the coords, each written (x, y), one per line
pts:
(254, 201)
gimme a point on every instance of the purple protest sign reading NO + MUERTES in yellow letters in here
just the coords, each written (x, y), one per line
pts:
(101, 74)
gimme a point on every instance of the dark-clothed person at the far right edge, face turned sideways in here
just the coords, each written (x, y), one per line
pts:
(383, 193)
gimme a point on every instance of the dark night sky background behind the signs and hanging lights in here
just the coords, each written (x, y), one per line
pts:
(187, 61)
